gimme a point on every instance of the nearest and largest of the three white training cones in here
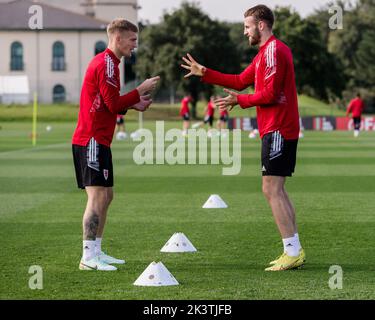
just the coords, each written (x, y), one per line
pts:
(155, 275)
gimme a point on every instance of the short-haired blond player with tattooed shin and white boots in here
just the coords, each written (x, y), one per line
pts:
(99, 105)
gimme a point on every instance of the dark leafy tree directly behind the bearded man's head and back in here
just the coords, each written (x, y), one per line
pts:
(318, 73)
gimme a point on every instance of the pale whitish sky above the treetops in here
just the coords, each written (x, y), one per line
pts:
(226, 10)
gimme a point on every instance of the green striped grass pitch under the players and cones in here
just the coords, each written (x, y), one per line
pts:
(41, 208)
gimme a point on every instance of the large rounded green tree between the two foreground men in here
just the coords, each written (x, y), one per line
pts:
(187, 29)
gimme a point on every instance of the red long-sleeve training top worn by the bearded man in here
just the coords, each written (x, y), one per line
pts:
(275, 97)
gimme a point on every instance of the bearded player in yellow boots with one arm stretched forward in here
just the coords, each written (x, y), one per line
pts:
(275, 98)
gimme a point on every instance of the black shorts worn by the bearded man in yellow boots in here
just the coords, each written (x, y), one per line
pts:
(278, 155)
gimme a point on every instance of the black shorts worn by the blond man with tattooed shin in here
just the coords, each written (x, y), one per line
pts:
(93, 165)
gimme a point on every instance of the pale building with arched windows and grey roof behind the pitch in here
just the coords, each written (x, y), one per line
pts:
(55, 57)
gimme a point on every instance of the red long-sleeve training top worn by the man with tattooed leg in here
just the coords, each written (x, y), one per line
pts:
(101, 101)
